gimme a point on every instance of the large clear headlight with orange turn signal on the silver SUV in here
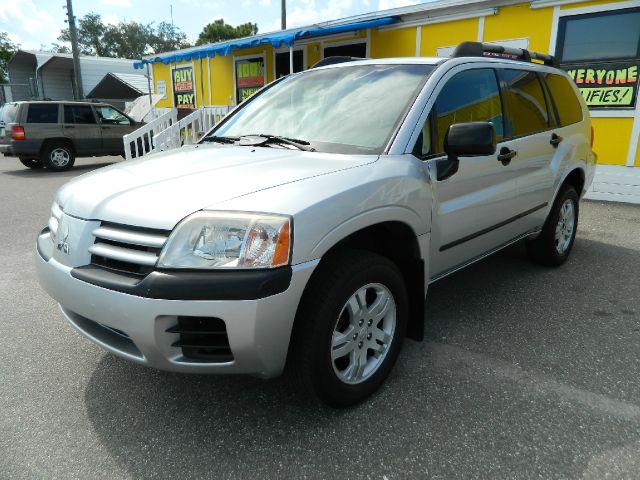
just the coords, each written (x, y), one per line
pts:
(228, 240)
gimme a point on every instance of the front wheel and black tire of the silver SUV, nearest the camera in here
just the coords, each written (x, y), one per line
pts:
(349, 327)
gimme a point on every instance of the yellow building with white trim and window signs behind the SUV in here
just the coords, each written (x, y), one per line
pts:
(597, 42)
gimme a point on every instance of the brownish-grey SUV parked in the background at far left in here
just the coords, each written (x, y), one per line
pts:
(52, 134)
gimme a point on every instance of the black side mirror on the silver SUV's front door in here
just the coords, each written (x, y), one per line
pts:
(468, 139)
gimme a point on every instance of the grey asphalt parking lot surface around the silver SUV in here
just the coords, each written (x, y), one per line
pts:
(526, 372)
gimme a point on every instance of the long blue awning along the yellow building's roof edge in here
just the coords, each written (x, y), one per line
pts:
(276, 40)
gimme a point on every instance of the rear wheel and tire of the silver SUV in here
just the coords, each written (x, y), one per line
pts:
(553, 246)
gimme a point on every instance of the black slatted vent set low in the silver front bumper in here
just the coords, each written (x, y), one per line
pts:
(203, 338)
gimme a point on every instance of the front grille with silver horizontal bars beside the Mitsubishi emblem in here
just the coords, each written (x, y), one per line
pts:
(127, 249)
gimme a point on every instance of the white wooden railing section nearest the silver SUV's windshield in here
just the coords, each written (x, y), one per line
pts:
(190, 129)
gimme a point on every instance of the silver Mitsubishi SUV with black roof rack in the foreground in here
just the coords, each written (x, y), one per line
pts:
(303, 231)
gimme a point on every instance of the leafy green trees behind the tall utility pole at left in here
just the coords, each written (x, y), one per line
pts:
(124, 40)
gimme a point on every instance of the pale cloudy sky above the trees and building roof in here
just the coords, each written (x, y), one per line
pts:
(33, 23)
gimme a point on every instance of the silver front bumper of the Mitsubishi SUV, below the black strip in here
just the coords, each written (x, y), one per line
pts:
(135, 327)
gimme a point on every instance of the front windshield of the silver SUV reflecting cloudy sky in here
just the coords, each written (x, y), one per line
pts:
(349, 109)
